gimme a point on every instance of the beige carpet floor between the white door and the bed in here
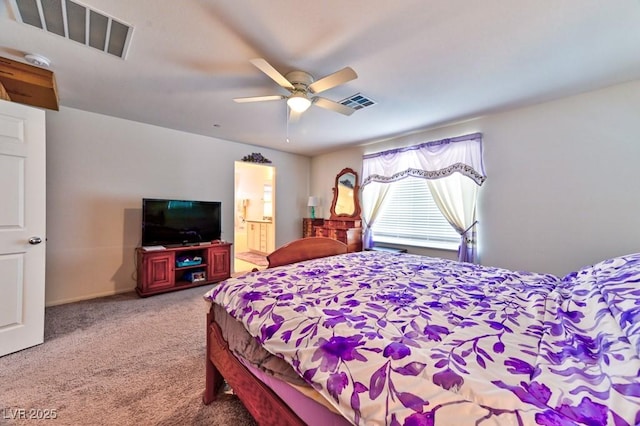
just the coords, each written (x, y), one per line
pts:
(119, 360)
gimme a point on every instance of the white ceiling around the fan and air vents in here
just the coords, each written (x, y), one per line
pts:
(425, 63)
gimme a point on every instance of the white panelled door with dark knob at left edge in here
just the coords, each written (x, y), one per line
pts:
(22, 226)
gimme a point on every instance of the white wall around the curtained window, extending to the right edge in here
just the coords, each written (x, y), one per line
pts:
(562, 188)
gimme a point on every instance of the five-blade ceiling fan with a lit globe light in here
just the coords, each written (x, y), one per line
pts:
(302, 87)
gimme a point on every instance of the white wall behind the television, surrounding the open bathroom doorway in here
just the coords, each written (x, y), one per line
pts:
(98, 170)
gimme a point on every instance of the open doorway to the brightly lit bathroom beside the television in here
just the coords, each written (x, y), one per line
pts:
(254, 215)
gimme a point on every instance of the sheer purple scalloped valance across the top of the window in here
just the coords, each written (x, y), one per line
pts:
(429, 160)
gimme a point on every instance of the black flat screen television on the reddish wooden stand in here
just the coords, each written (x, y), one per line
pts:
(180, 222)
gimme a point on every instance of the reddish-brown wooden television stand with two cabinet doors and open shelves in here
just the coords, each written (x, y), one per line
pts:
(177, 268)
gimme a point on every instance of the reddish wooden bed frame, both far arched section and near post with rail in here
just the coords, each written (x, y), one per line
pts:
(221, 364)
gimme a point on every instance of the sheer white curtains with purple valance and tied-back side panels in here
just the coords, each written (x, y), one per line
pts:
(453, 169)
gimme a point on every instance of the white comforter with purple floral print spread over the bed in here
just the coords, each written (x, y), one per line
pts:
(402, 339)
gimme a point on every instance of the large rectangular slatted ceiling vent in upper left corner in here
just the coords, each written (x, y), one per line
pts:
(76, 22)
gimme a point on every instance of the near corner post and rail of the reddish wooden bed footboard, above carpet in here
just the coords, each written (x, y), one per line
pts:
(263, 404)
